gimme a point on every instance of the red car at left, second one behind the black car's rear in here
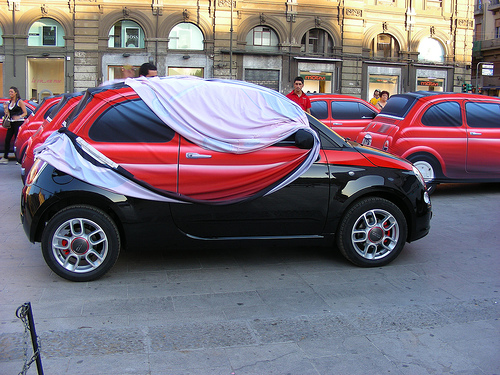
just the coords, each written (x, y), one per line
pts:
(32, 123)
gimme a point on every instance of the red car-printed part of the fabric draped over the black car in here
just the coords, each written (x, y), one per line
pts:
(183, 167)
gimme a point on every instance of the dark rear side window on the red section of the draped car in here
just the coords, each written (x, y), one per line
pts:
(131, 121)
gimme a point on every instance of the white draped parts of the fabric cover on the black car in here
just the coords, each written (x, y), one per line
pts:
(224, 116)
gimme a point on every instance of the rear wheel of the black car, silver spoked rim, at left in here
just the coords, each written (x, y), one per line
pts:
(80, 243)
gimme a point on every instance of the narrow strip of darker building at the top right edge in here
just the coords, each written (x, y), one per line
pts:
(486, 49)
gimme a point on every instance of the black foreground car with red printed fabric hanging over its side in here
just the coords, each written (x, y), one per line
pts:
(366, 202)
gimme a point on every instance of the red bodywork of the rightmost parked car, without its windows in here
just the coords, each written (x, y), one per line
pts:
(463, 152)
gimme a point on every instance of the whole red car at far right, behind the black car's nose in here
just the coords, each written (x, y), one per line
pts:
(449, 137)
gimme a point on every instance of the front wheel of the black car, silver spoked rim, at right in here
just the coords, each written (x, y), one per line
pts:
(372, 233)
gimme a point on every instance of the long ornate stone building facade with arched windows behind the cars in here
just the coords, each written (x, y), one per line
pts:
(345, 46)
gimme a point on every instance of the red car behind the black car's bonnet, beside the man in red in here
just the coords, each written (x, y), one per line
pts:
(346, 115)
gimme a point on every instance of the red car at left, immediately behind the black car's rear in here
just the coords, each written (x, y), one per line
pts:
(53, 122)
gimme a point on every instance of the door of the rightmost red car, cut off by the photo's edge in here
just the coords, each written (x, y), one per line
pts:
(483, 138)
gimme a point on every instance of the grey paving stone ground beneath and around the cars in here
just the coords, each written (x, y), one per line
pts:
(265, 309)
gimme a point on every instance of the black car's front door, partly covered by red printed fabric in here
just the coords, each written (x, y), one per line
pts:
(298, 209)
